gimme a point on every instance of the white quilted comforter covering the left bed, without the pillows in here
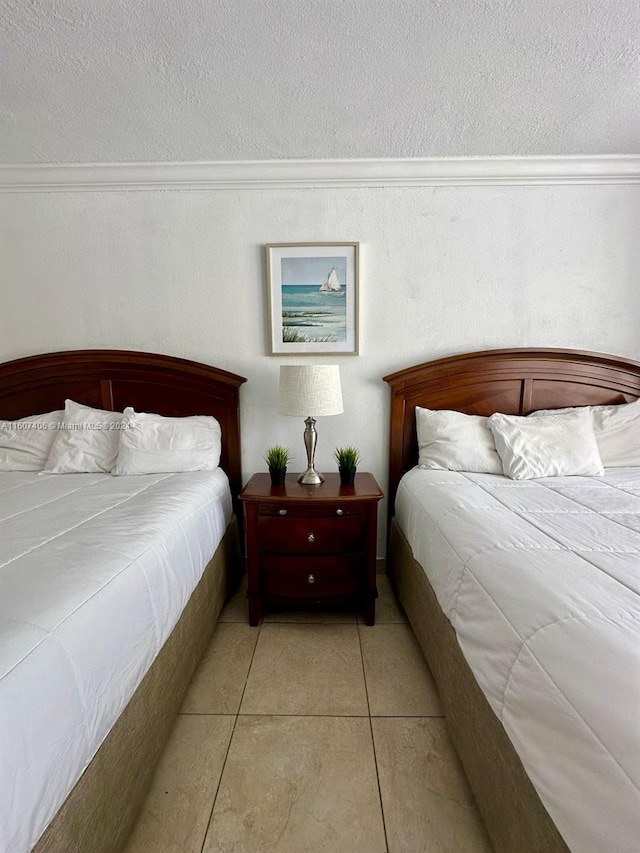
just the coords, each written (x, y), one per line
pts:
(95, 571)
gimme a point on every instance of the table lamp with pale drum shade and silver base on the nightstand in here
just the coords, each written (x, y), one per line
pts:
(310, 390)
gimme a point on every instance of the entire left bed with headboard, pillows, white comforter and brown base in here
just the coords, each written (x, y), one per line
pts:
(110, 586)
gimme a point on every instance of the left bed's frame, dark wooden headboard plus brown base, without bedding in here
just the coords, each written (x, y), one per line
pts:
(101, 810)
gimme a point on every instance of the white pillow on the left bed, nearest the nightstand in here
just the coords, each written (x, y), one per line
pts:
(152, 444)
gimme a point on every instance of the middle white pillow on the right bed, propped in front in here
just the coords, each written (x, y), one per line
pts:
(551, 446)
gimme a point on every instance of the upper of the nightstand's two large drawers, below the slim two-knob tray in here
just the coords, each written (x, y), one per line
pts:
(310, 536)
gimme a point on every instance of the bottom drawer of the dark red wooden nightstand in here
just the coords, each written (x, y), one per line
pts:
(311, 577)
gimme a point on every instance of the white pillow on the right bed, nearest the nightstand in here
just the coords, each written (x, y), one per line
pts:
(455, 442)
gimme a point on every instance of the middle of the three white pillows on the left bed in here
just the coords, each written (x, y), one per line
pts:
(87, 441)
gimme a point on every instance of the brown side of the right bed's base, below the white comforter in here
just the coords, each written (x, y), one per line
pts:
(513, 813)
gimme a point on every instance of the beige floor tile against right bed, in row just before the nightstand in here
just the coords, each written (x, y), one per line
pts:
(399, 682)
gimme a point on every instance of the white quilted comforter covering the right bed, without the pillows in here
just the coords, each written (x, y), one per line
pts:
(540, 580)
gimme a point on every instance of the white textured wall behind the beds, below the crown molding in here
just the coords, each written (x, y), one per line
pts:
(443, 270)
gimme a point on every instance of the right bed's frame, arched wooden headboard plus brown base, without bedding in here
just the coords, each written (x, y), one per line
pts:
(512, 381)
